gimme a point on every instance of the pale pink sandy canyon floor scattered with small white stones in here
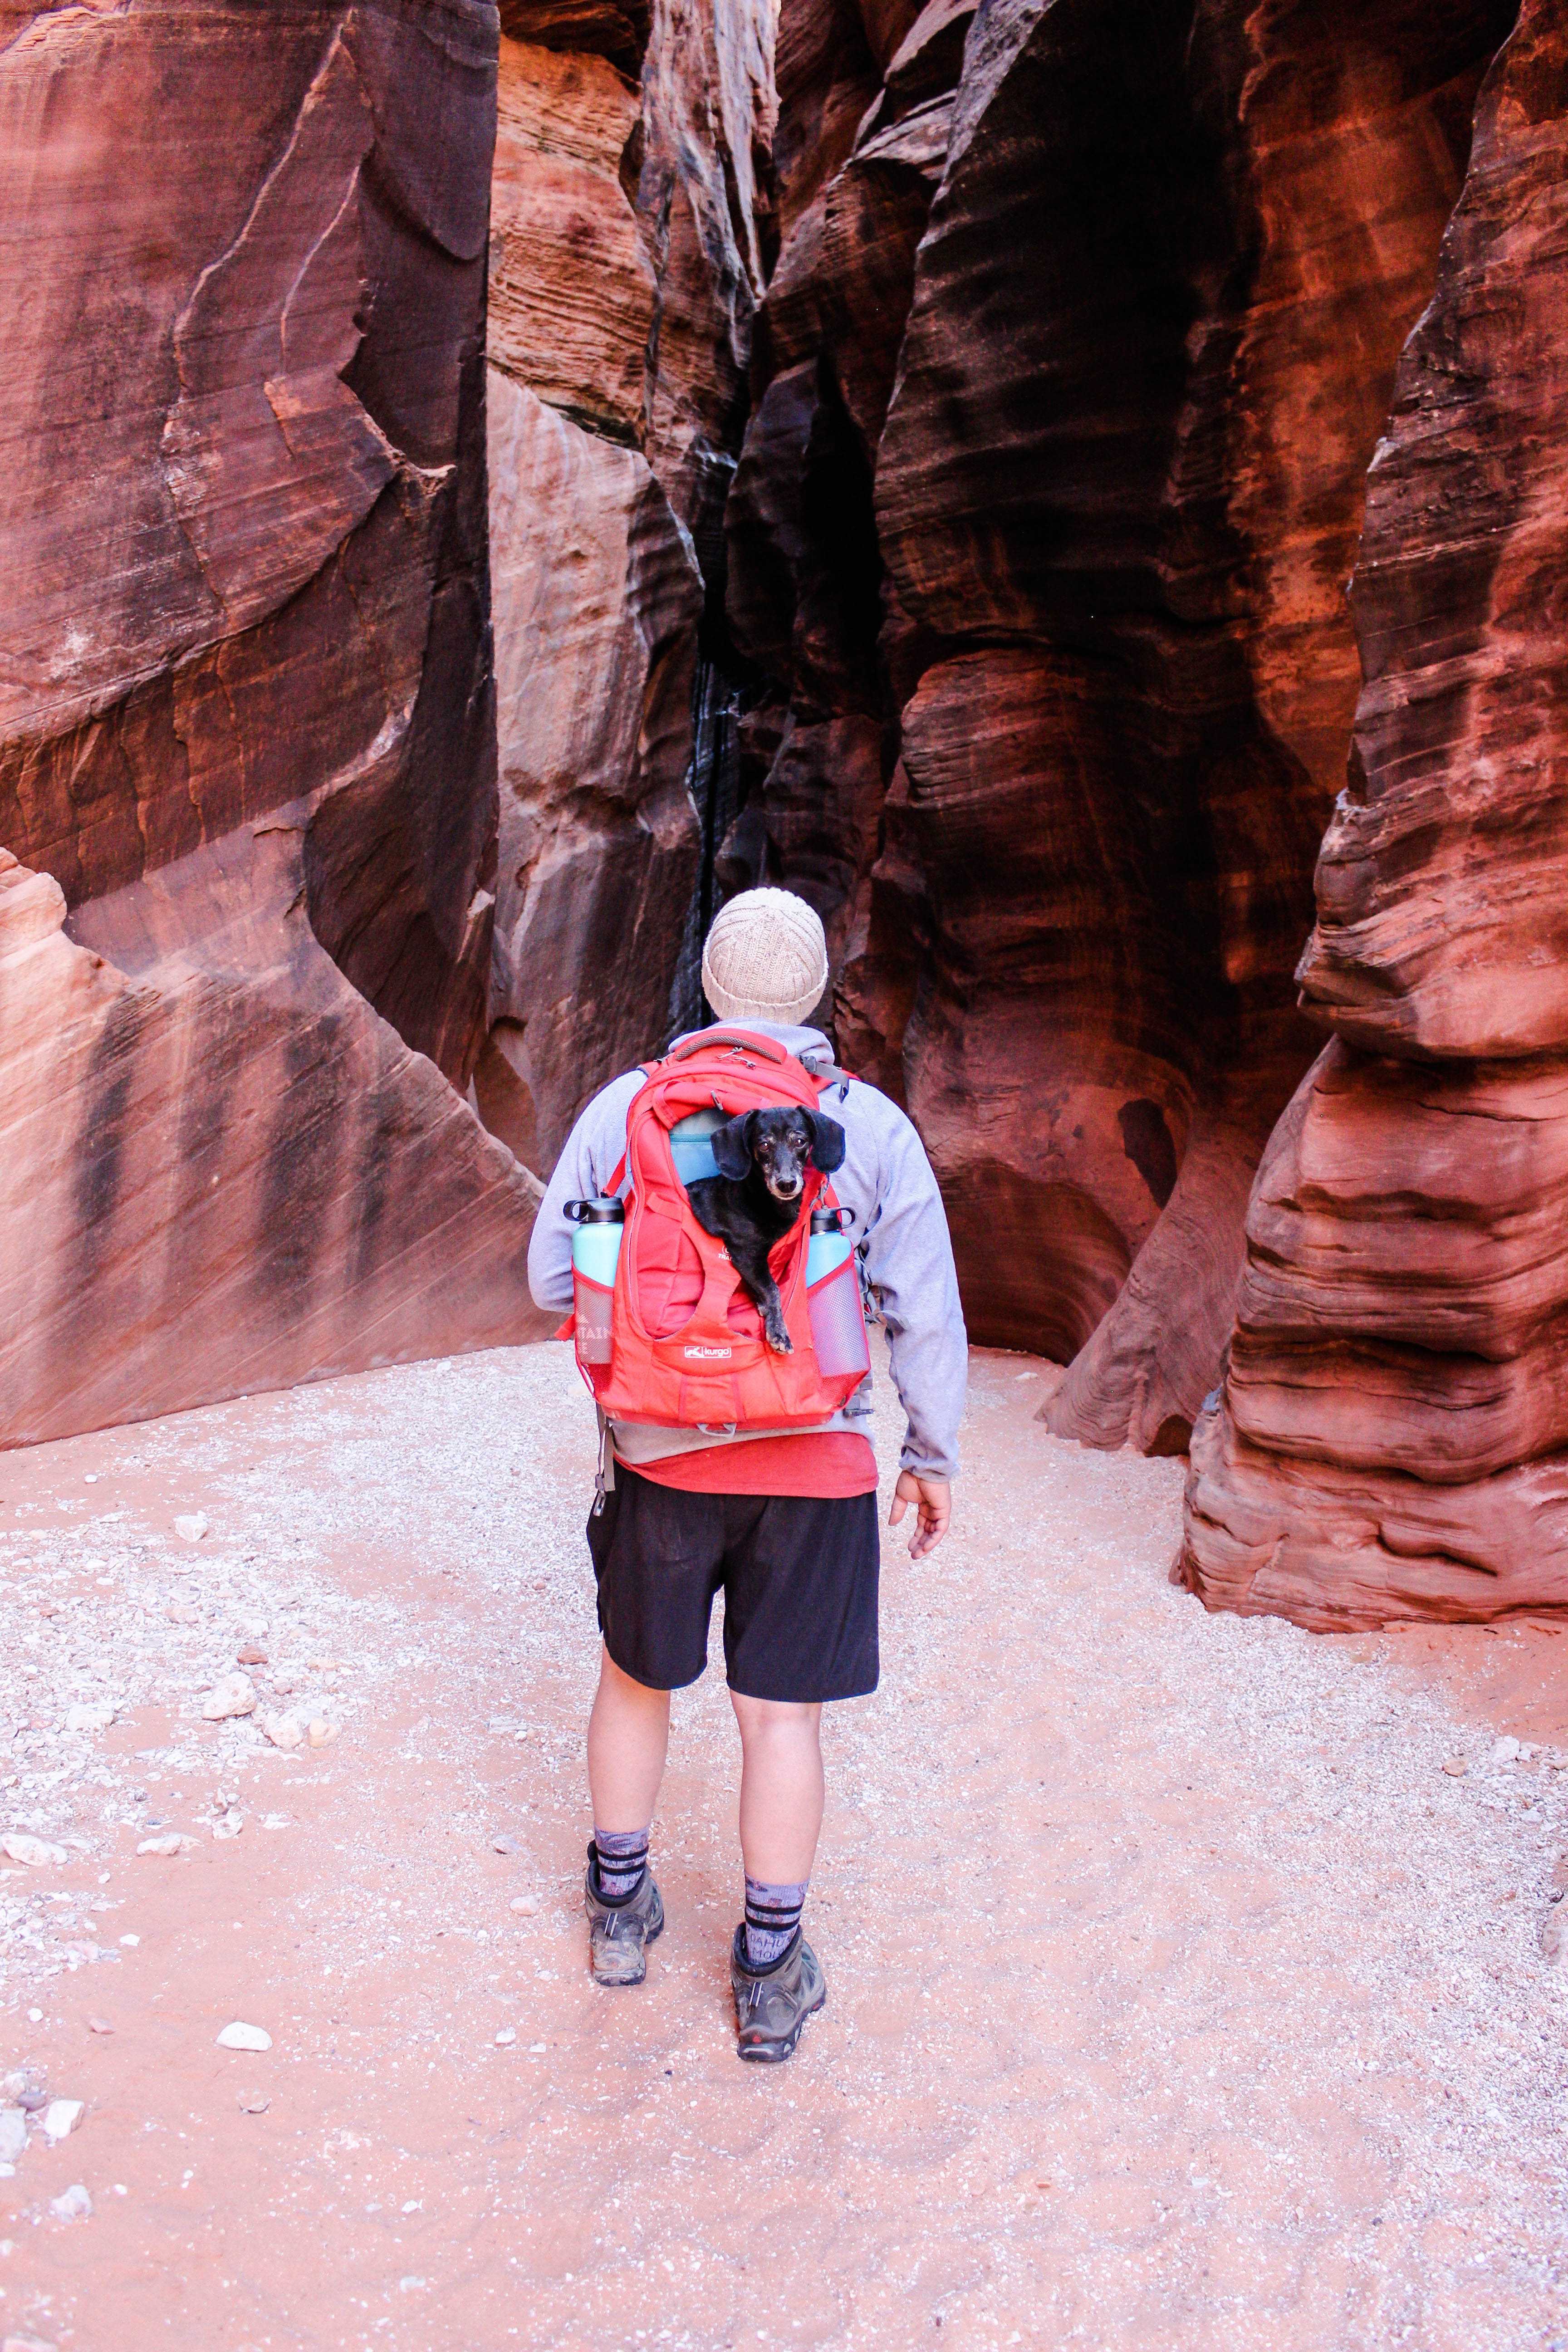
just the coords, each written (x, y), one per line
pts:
(1179, 1996)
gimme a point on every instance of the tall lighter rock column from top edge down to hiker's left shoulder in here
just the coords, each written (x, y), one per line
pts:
(626, 255)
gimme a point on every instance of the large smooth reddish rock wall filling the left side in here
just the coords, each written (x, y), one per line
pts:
(246, 714)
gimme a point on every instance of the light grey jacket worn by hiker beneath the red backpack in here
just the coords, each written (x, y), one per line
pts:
(897, 1210)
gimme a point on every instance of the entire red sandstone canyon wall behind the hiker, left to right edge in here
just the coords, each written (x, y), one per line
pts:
(471, 500)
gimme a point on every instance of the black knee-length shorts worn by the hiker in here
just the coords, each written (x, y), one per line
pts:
(798, 1579)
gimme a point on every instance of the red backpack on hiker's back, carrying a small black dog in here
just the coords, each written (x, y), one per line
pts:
(688, 1339)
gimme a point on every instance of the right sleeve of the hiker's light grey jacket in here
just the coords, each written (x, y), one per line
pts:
(909, 1259)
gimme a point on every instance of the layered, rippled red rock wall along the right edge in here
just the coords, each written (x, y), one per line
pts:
(1393, 1438)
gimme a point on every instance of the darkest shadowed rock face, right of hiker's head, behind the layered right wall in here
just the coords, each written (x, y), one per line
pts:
(1066, 389)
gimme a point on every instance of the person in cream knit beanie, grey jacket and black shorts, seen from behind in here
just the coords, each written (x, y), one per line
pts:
(782, 1523)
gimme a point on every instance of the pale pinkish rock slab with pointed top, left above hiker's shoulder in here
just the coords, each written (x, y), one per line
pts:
(598, 601)
